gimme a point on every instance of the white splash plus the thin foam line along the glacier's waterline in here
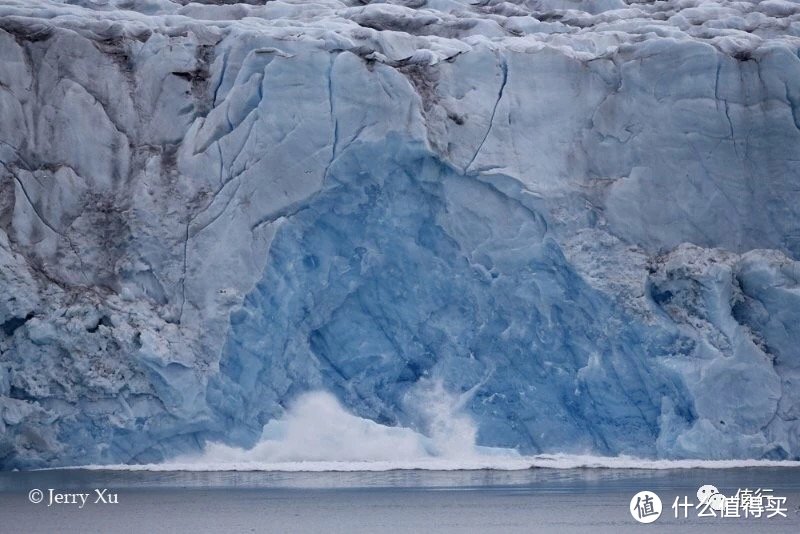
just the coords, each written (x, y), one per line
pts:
(318, 434)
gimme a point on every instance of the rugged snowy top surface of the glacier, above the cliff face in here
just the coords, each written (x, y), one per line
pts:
(428, 31)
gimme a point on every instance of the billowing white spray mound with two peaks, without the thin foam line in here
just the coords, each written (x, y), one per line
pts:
(317, 430)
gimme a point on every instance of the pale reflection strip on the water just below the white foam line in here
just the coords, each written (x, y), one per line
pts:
(532, 480)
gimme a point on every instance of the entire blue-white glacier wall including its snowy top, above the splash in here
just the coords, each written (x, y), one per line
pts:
(584, 216)
